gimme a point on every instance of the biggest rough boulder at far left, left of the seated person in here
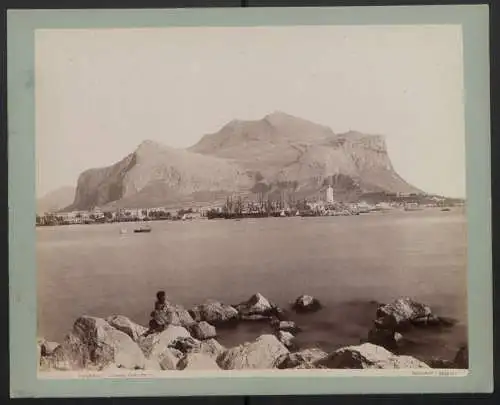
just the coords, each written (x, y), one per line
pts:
(95, 343)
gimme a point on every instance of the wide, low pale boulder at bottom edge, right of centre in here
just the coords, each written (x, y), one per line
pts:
(367, 356)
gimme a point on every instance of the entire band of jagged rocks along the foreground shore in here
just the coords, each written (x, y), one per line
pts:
(188, 342)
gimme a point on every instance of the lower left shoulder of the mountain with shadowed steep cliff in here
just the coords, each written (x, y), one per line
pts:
(155, 174)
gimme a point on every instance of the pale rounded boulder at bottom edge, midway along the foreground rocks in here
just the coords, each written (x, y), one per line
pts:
(260, 354)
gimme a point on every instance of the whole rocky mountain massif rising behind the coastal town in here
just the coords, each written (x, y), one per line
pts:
(278, 154)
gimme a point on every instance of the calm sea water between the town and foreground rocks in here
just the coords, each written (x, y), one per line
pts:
(346, 262)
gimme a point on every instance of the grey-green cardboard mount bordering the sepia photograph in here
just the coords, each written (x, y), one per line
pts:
(22, 264)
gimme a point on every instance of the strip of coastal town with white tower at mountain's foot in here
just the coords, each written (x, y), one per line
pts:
(239, 207)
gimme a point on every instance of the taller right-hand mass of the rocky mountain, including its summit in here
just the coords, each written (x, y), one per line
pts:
(283, 150)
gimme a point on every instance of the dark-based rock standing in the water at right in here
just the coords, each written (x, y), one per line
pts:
(404, 312)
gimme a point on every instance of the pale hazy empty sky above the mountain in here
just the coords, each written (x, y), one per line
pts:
(99, 93)
